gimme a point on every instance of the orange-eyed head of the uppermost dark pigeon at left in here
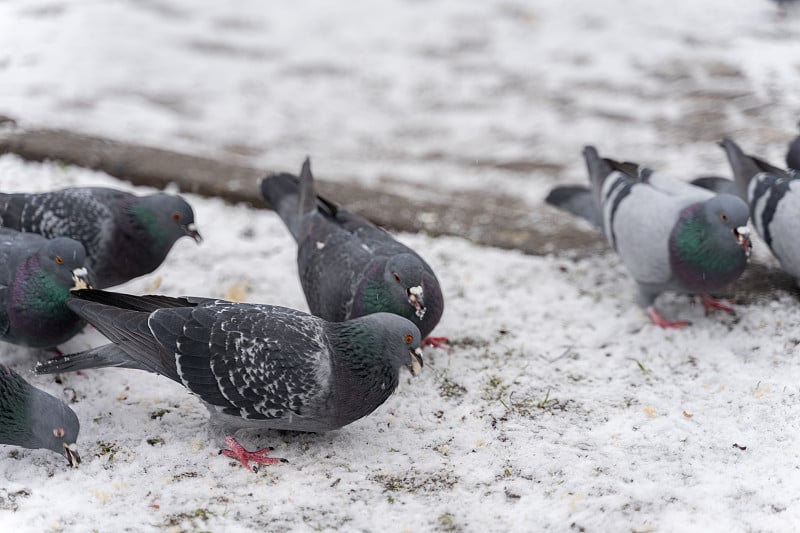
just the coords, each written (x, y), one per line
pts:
(166, 218)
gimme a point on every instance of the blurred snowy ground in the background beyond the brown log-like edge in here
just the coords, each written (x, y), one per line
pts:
(418, 97)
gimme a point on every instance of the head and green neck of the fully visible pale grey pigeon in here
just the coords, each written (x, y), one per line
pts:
(710, 243)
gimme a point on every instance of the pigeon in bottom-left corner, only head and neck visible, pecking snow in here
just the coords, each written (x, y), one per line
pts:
(31, 418)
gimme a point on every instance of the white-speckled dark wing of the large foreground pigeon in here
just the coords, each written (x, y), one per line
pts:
(242, 361)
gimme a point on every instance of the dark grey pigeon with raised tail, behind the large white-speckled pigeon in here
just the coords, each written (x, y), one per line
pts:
(348, 266)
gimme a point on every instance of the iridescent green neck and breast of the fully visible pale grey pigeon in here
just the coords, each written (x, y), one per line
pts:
(700, 259)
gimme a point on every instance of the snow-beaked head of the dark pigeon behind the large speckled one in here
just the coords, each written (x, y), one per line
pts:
(404, 276)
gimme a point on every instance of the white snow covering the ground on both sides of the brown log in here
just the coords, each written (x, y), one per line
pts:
(558, 406)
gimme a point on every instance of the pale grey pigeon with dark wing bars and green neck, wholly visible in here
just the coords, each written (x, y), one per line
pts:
(671, 236)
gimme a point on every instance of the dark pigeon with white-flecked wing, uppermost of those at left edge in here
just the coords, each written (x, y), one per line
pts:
(125, 236)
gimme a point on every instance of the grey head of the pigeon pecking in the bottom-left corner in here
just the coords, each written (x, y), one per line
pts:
(54, 426)
